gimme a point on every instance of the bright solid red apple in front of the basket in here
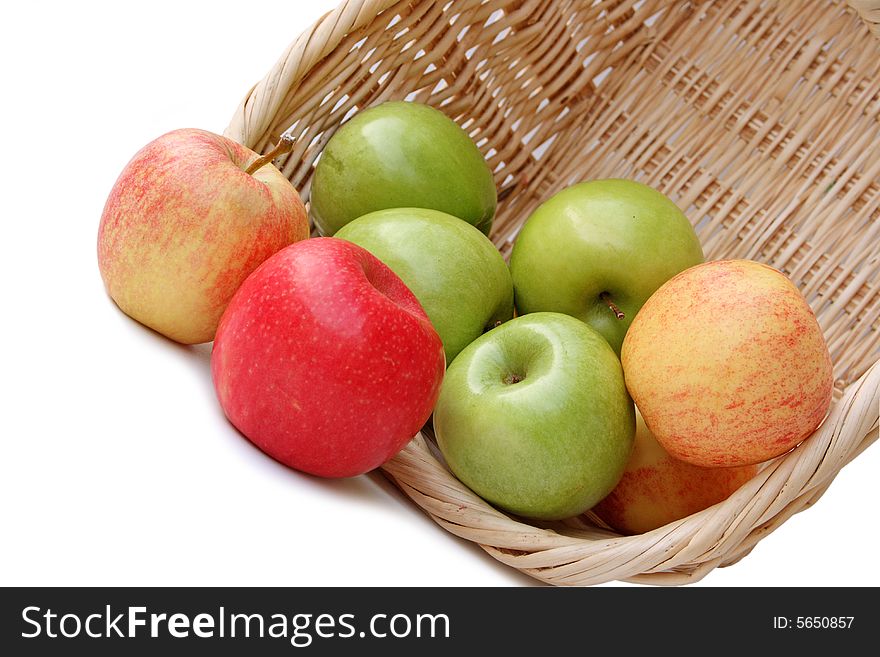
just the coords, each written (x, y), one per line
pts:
(325, 360)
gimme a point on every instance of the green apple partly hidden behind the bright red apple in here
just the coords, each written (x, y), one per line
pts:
(453, 269)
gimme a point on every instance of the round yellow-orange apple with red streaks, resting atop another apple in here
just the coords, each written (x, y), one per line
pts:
(728, 364)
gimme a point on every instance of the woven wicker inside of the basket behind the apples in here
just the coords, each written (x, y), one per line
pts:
(759, 119)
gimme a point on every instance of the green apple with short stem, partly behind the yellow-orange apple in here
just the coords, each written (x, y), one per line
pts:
(597, 250)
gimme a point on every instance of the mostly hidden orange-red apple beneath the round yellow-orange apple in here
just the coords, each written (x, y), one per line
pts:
(657, 488)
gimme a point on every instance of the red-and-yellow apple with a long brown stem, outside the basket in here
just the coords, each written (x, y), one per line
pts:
(185, 224)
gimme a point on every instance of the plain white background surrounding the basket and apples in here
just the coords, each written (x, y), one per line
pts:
(118, 467)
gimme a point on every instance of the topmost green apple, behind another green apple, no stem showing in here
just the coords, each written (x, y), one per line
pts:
(398, 155)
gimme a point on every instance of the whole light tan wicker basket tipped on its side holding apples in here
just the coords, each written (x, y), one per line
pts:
(760, 119)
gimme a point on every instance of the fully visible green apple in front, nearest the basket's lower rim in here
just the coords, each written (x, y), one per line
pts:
(535, 418)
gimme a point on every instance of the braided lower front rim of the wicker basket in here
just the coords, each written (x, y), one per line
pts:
(851, 427)
